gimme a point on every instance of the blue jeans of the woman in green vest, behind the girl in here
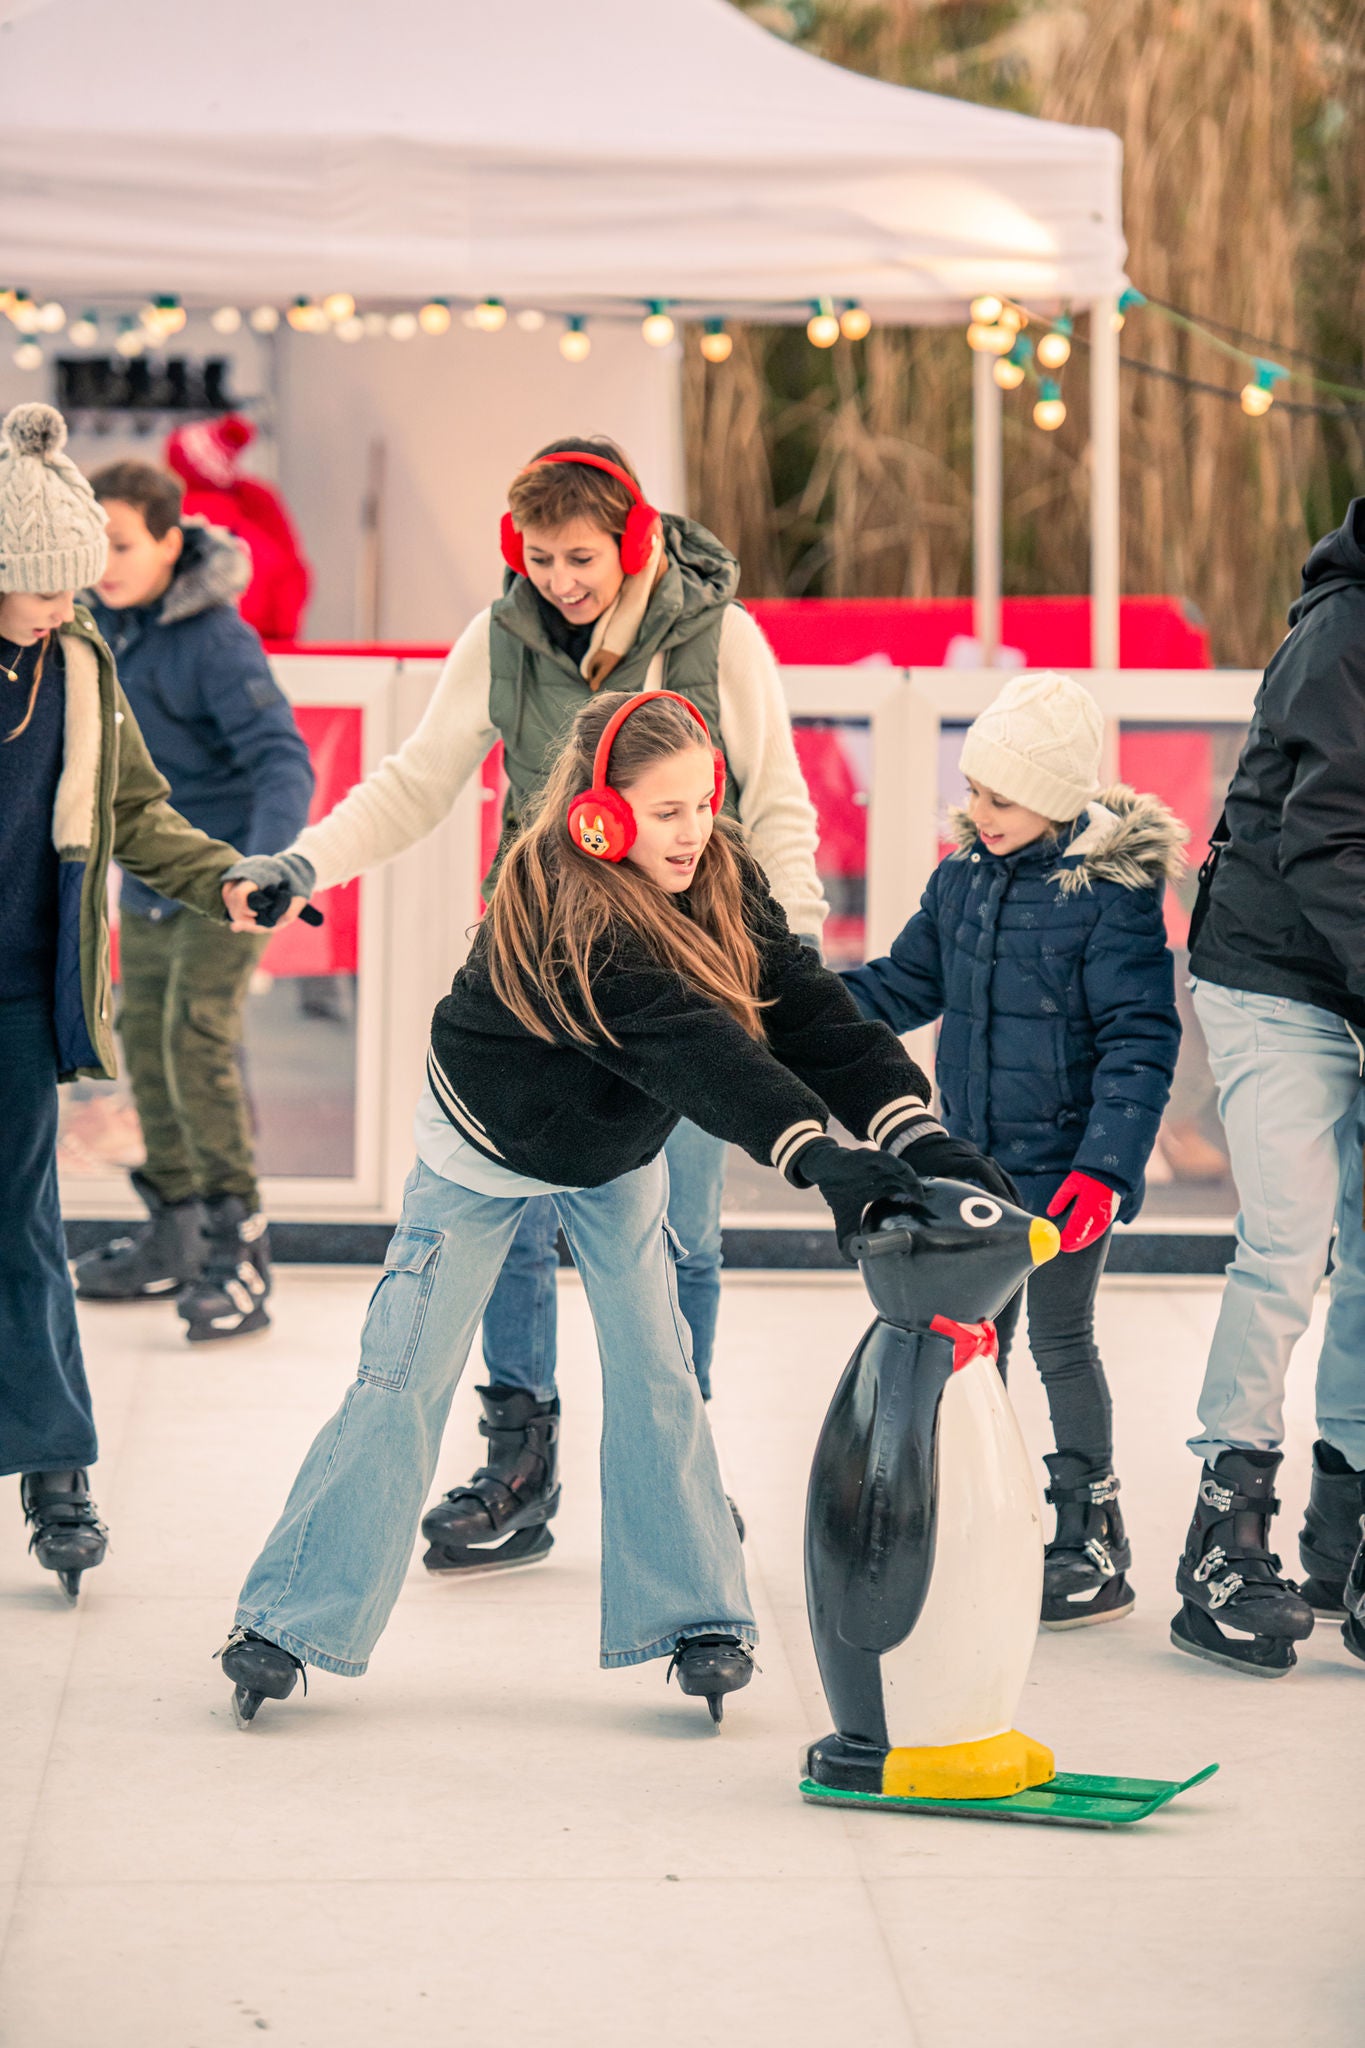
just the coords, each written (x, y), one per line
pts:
(519, 1324)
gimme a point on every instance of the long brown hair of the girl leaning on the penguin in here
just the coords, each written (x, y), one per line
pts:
(554, 904)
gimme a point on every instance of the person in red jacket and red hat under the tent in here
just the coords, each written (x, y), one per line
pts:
(208, 458)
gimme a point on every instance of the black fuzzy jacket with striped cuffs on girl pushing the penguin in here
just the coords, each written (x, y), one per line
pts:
(584, 1115)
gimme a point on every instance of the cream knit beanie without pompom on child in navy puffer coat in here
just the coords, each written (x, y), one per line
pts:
(1039, 744)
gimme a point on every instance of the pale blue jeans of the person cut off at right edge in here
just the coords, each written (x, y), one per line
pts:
(1292, 1101)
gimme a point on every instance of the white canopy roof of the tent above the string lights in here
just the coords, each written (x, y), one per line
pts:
(572, 157)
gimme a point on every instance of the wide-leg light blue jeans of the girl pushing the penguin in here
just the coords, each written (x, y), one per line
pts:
(672, 1566)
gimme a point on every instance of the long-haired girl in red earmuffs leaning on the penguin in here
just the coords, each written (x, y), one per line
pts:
(633, 970)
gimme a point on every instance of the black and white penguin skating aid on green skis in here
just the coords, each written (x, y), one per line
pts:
(924, 1539)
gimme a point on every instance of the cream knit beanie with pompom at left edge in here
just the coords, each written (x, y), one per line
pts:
(52, 527)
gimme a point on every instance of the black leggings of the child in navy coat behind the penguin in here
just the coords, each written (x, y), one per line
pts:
(1063, 1342)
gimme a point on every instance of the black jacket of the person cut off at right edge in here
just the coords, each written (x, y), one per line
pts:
(1286, 914)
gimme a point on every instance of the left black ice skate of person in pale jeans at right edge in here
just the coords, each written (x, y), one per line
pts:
(1239, 1611)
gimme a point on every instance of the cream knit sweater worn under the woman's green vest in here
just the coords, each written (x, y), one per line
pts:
(414, 790)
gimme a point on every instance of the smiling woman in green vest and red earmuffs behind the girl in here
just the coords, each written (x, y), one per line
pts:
(599, 587)
